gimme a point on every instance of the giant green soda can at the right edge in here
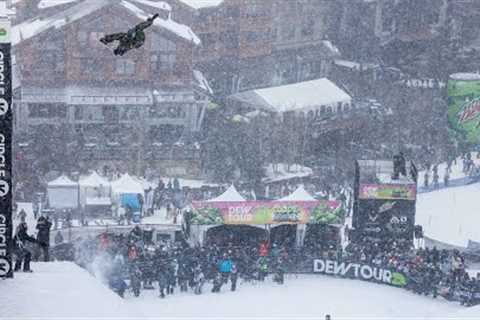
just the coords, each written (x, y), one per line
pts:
(464, 106)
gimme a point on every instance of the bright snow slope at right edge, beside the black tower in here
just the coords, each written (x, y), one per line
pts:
(450, 215)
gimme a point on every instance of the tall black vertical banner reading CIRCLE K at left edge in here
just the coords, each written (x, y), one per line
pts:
(6, 123)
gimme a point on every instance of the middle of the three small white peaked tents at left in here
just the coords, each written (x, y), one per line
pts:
(94, 190)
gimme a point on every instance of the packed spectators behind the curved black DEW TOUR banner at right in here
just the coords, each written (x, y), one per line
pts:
(429, 271)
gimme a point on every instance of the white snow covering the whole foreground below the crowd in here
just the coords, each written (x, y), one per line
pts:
(63, 290)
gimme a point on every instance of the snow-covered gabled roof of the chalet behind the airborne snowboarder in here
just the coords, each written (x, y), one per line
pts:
(33, 27)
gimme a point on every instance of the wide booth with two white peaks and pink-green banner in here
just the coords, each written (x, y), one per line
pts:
(283, 220)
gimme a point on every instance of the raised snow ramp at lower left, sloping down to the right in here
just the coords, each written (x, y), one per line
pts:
(59, 290)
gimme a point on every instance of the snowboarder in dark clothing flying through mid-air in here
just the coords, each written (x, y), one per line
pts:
(134, 38)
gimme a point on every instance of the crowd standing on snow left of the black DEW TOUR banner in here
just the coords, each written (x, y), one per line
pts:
(134, 257)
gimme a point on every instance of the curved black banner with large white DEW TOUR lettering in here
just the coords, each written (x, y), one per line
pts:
(359, 271)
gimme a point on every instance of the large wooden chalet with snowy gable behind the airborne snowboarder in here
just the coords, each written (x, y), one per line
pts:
(136, 111)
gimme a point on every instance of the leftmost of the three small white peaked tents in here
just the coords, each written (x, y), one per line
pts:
(62, 193)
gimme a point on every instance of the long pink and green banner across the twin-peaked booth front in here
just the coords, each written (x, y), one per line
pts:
(266, 212)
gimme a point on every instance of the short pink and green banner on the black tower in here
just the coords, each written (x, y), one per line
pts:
(388, 191)
